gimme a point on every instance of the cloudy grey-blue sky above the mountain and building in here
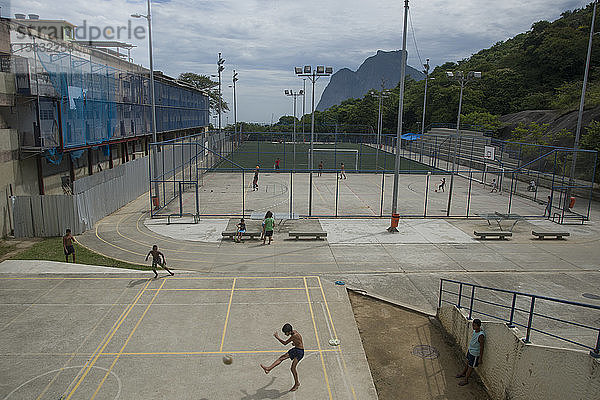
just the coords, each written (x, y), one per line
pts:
(263, 40)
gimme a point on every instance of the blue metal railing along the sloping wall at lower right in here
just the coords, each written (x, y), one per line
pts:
(467, 292)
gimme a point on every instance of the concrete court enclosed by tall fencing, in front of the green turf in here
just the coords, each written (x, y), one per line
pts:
(359, 194)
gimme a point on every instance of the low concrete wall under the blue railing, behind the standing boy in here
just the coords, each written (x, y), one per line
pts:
(514, 370)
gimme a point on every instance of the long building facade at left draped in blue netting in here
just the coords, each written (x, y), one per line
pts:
(68, 110)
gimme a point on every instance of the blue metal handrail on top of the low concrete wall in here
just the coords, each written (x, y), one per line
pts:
(531, 313)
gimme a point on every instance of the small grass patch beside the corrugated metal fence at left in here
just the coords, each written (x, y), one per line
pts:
(51, 249)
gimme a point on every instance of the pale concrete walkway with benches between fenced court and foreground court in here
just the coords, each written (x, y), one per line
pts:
(404, 271)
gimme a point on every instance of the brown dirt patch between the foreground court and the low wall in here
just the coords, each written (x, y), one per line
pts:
(390, 334)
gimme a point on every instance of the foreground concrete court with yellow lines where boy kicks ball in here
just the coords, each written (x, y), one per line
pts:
(109, 336)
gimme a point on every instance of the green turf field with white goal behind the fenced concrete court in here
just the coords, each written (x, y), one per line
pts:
(264, 154)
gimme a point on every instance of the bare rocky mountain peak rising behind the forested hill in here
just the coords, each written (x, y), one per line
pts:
(345, 83)
